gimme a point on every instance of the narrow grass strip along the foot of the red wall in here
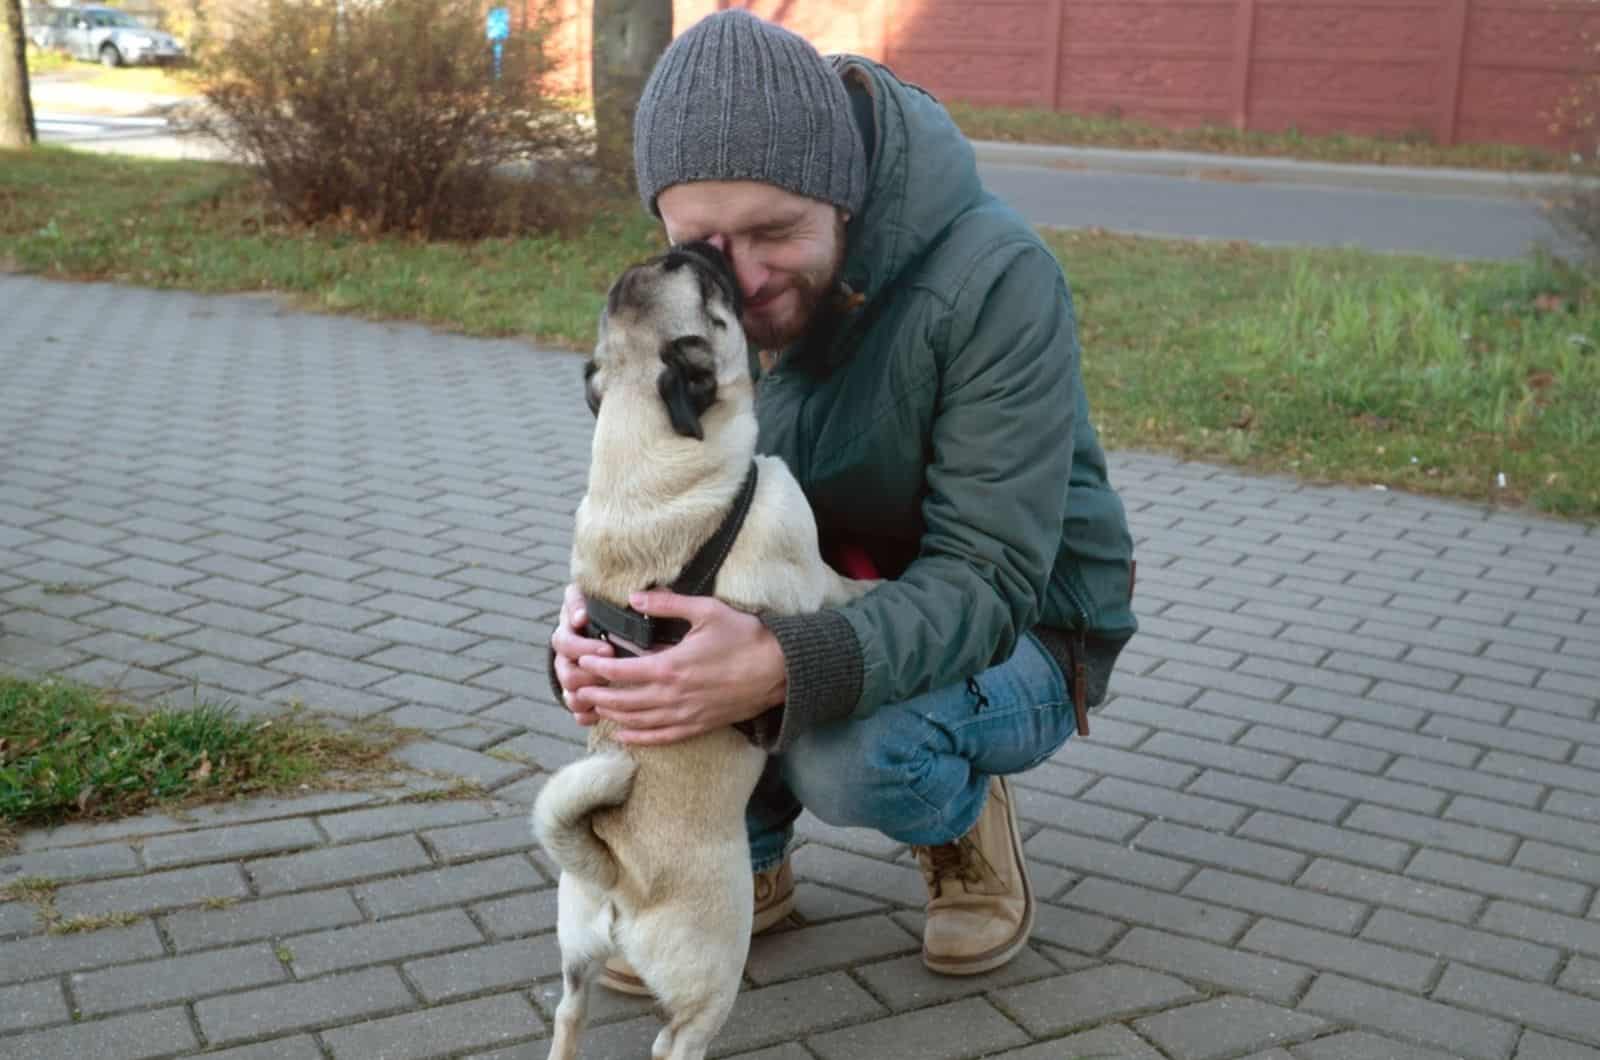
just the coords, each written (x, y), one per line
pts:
(1036, 126)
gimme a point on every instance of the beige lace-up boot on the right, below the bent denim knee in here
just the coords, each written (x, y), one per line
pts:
(980, 899)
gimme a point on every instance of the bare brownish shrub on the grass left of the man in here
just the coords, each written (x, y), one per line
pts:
(388, 114)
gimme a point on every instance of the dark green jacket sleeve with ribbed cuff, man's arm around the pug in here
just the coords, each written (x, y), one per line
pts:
(999, 464)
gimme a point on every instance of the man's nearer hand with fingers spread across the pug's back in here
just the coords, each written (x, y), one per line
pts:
(727, 670)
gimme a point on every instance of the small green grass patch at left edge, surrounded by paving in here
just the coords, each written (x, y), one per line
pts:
(68, 752)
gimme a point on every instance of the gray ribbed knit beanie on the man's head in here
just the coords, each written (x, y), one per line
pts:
(737, 98)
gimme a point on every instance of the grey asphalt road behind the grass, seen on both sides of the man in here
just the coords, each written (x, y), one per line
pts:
(1263, 212)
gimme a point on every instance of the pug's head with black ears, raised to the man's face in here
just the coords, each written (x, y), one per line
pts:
(676, 321)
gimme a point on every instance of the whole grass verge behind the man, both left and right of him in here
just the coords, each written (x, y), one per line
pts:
(1337, 366)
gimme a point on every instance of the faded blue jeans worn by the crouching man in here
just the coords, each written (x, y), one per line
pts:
(916, 771)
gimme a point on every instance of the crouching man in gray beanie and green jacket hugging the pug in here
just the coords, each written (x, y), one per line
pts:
(919, 374)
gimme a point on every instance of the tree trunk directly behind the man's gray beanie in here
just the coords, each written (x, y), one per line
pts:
(630, 36)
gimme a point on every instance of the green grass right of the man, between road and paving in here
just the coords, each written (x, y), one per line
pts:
(1348, 367)
